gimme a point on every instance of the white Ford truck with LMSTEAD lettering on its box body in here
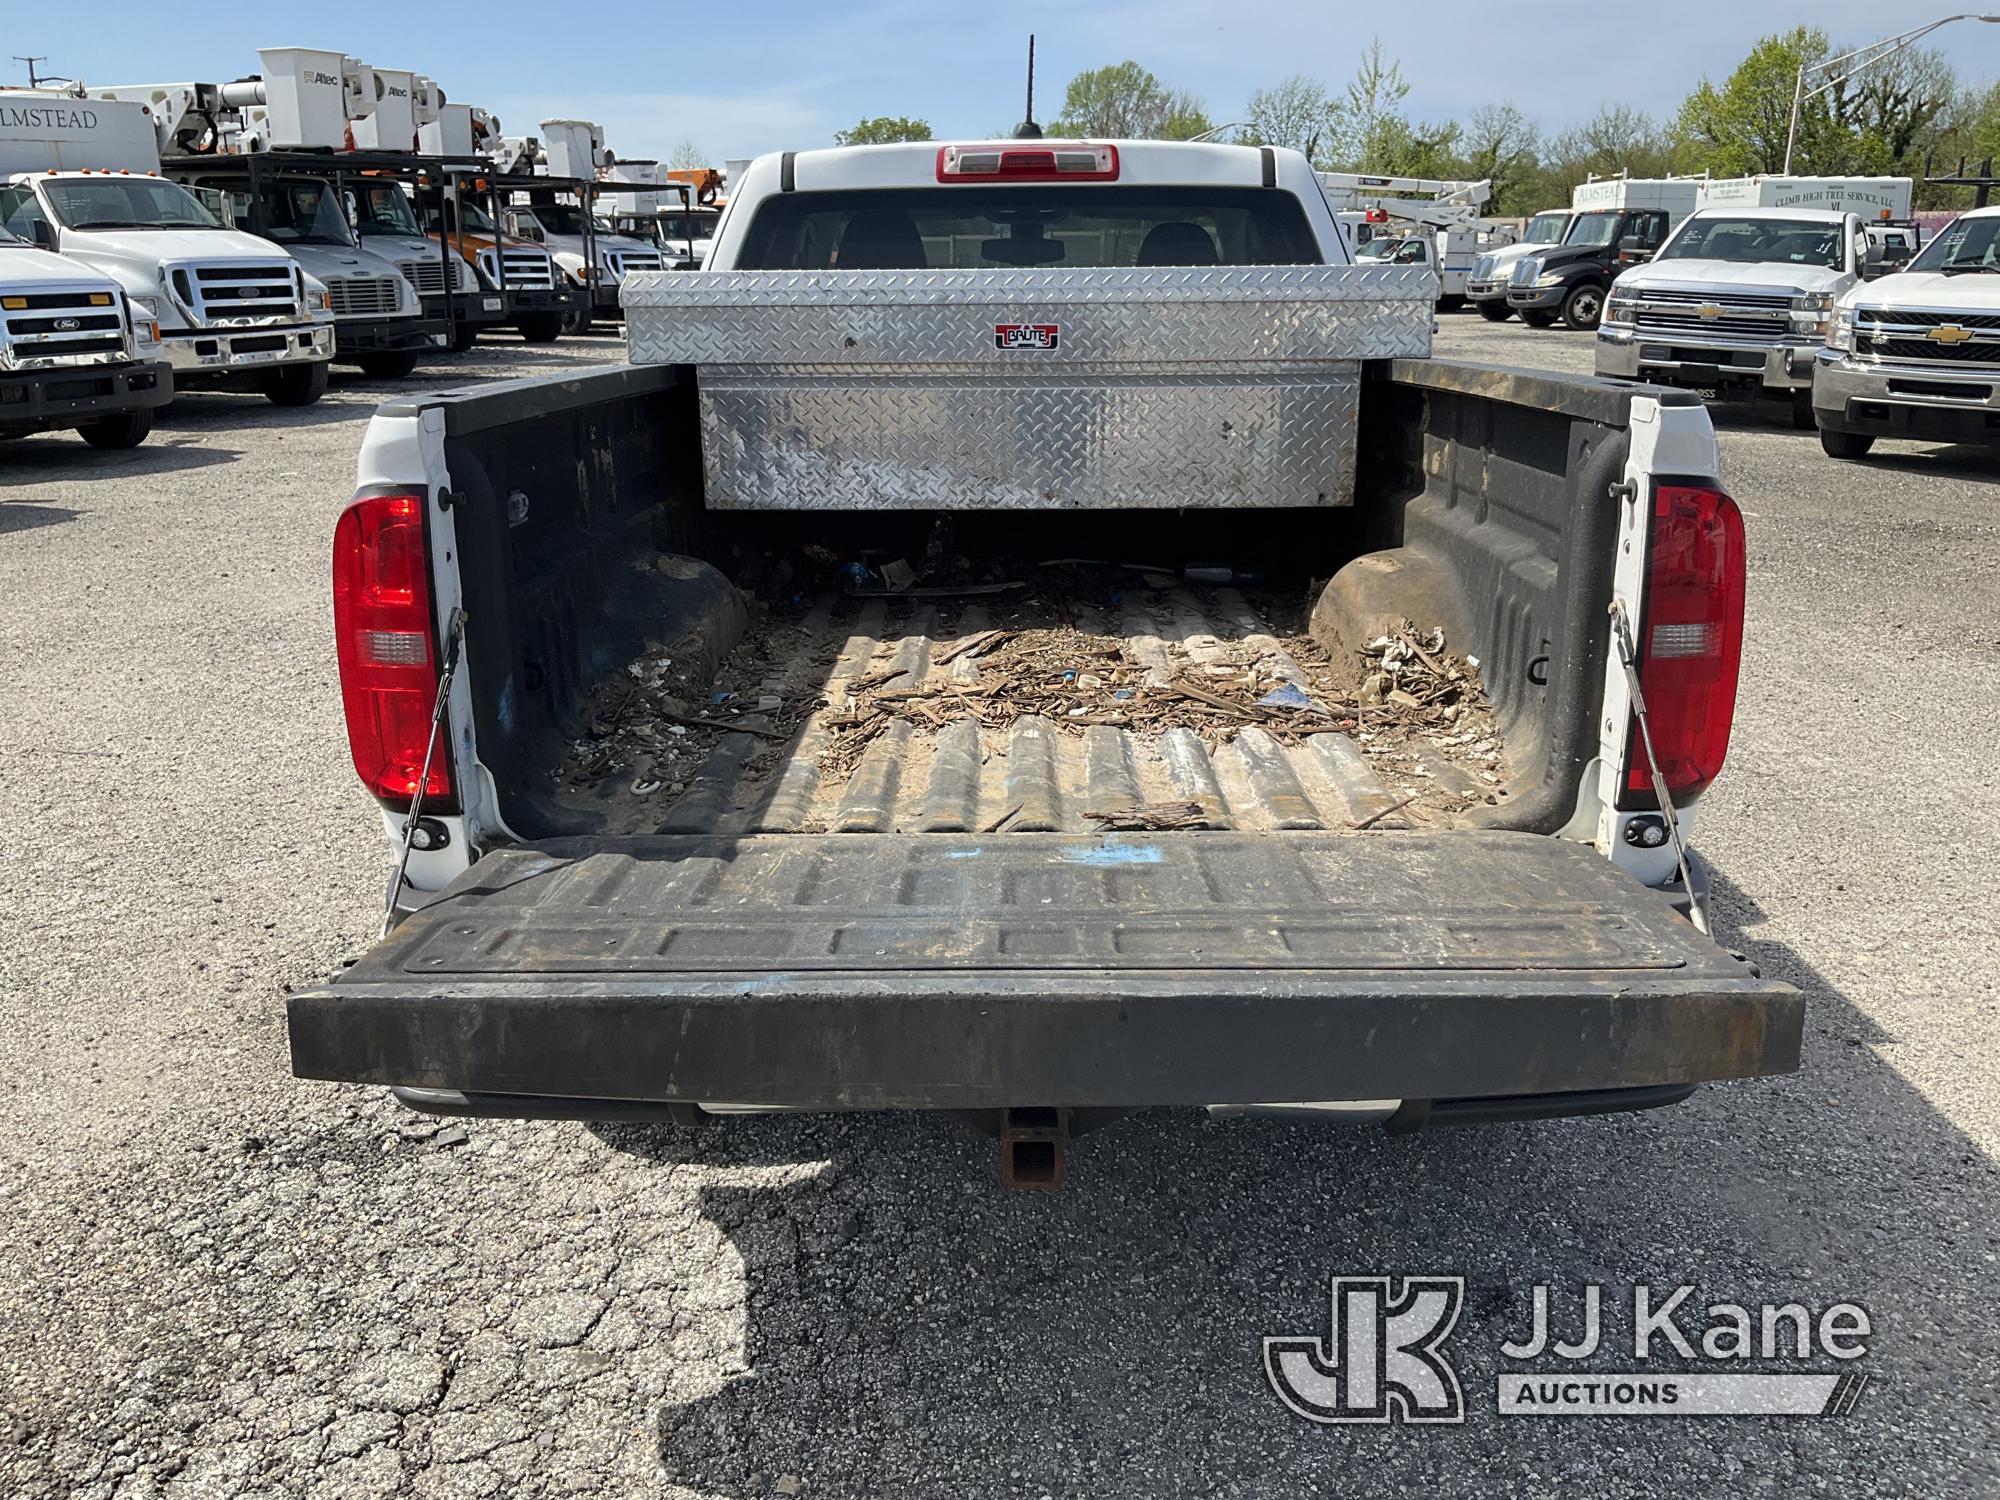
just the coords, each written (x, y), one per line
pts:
(83, 177)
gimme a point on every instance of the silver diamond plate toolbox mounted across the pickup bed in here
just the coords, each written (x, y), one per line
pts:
(1219, 387)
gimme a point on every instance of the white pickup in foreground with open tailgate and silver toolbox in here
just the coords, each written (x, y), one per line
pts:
(843, 705)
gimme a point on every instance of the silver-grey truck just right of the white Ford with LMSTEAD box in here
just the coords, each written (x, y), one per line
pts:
(379, 317)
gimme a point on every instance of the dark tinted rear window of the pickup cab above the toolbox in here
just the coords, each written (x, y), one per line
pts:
(1067, 227)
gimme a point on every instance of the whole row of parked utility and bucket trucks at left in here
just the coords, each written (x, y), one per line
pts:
(257, 231)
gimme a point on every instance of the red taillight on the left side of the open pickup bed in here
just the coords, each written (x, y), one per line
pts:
(389, 653)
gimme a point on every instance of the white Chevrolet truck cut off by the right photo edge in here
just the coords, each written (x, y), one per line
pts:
(1917, 355)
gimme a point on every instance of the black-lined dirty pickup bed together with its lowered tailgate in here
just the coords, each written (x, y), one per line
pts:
(879, 887)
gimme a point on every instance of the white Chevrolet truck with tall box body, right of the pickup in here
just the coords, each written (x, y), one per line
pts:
(1741, 295)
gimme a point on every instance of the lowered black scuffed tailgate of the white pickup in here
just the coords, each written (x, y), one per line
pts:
(855, 971)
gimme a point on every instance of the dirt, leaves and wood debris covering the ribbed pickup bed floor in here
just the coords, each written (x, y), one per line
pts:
(1081, 701)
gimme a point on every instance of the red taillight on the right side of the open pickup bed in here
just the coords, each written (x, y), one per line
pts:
(1691, 641)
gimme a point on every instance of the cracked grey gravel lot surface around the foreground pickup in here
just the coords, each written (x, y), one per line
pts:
(217, 1281)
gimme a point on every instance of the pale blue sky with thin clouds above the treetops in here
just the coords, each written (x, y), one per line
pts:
(769, 75)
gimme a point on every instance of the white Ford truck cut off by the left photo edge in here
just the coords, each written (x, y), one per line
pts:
(73, 353)
